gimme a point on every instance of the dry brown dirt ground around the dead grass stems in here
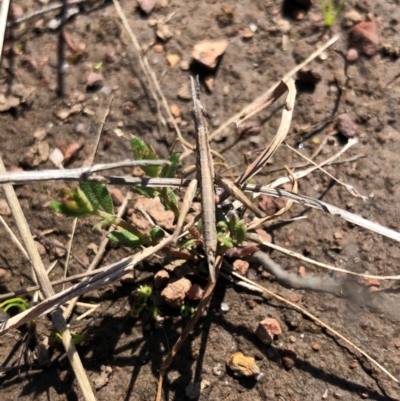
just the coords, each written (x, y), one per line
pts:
(325, 368)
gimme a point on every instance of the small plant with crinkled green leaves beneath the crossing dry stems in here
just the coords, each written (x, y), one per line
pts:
(93, 199)
